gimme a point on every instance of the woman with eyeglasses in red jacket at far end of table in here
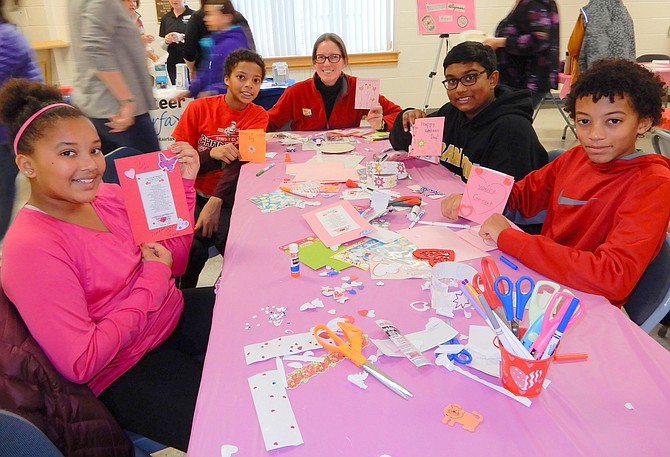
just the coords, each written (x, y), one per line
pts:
(326, 101)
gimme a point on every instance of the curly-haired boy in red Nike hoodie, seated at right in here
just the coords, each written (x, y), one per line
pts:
(607, 203)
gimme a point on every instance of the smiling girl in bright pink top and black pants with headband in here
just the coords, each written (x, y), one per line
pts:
(105, 311)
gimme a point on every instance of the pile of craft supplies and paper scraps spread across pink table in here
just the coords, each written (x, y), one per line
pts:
(372, 225)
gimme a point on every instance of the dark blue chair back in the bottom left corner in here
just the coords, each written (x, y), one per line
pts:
(20, 438)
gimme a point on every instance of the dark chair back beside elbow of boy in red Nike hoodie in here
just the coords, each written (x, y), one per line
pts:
(649, 302)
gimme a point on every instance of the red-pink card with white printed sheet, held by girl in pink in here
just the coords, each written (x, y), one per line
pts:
(154, 195)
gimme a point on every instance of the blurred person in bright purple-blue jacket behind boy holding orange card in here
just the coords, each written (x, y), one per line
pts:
(226, 37)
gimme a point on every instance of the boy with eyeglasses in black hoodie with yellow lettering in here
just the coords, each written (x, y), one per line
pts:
(485, 123)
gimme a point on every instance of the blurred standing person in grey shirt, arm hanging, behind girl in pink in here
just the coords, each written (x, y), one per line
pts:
(112, 84)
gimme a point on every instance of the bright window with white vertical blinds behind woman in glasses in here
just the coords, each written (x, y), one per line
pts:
(290, 27)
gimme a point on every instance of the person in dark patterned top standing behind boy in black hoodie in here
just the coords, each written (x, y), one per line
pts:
(527, 47)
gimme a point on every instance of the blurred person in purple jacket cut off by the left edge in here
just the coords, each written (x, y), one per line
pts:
(17, 60)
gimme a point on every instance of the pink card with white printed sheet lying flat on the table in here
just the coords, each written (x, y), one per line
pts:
(338, 223)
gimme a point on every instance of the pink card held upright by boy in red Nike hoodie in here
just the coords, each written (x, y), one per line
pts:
(485, 194)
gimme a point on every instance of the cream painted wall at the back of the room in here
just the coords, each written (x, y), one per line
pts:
(405, 83)
